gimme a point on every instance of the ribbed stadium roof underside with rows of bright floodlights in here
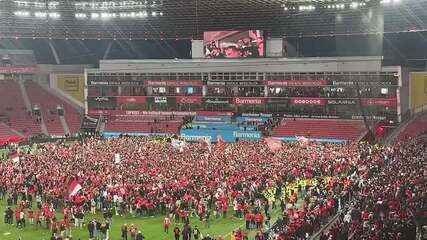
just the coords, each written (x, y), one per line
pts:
(190, 18)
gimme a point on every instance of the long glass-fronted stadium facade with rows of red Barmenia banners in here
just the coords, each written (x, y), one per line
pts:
(331, 88)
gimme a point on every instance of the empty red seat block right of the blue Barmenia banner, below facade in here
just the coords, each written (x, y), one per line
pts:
(324, 129)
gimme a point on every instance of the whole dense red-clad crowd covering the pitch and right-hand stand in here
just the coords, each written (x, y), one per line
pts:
(304, 183)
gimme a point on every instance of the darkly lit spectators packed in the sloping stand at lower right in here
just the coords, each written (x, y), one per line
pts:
(392, 199)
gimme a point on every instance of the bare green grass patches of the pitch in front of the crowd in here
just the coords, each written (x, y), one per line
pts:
(151, 227)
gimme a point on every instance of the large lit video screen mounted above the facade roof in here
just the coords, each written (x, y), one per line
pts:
(234, 44)
